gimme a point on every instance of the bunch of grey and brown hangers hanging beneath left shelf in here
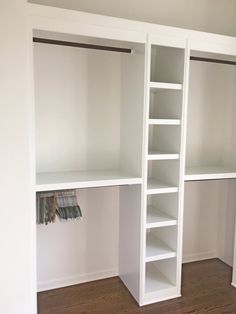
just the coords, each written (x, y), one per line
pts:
(61, 203)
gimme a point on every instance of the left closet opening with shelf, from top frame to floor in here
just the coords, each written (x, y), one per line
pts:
(89, 137)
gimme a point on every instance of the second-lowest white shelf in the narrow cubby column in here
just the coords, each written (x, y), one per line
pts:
(157, 250)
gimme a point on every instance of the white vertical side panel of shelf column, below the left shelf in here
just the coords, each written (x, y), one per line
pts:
(129, 238)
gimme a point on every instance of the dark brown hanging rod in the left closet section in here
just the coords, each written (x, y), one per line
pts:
(80, 45)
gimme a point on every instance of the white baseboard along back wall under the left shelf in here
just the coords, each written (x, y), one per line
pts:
(74, 280)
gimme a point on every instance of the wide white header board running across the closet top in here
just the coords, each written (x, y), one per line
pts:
(46, 14)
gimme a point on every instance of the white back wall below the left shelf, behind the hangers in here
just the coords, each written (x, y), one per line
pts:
(74, 252)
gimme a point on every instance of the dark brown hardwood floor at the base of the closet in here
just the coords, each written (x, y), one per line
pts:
(206, 289)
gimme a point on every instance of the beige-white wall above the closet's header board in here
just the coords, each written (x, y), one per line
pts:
(214, 16)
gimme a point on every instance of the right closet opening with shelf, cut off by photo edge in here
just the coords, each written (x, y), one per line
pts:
(210, 198)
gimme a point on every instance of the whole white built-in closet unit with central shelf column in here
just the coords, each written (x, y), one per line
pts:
(119, 122)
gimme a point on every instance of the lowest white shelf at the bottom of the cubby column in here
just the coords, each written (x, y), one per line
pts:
(155, 281)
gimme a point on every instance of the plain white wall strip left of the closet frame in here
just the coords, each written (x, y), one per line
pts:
(16, 292)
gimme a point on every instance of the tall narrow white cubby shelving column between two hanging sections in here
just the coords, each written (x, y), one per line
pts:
(164, 174)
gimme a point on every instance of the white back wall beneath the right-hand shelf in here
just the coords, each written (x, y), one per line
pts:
(202, 203)
